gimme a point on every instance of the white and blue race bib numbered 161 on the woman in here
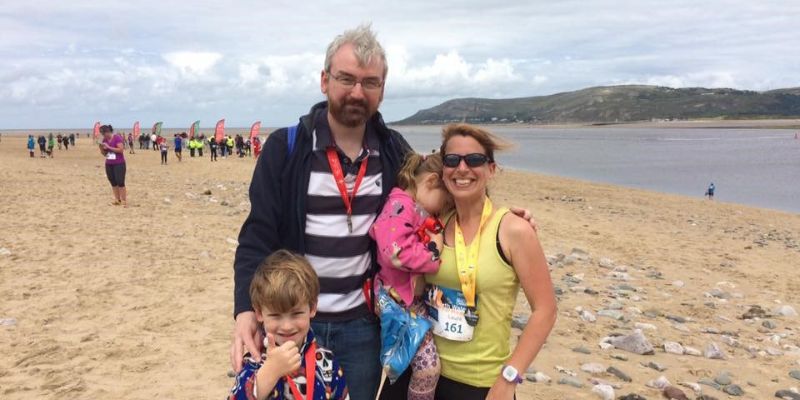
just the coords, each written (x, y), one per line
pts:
(447, 308)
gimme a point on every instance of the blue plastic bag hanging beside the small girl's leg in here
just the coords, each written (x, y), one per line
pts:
(401, 335)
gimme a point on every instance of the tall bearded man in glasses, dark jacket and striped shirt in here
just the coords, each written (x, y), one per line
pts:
(297, 205)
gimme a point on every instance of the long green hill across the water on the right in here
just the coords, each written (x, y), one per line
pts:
(617, 104)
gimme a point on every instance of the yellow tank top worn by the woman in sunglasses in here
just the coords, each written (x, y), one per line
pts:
(478, 362)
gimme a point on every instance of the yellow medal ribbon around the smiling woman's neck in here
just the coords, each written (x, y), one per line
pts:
(467, 261)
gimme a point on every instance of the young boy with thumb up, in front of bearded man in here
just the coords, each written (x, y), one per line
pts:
(284, 294)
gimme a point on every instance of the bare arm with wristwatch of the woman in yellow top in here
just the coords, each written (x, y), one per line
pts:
(520, 244)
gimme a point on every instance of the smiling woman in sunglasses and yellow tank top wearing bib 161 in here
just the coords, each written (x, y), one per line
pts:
(488, 254)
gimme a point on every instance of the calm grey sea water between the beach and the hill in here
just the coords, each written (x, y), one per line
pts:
(756, 167)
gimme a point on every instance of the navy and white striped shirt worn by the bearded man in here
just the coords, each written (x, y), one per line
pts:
(340, 258)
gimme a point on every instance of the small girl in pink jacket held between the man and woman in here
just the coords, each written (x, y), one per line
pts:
(409, 239)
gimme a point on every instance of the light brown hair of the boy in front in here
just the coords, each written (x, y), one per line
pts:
(283, 281)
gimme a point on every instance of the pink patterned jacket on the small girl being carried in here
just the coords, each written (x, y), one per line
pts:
(401, 255)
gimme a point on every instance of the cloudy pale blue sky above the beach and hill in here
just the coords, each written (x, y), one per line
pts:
(67, 64)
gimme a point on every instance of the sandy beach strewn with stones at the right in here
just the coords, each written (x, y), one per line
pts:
(136, 303)
